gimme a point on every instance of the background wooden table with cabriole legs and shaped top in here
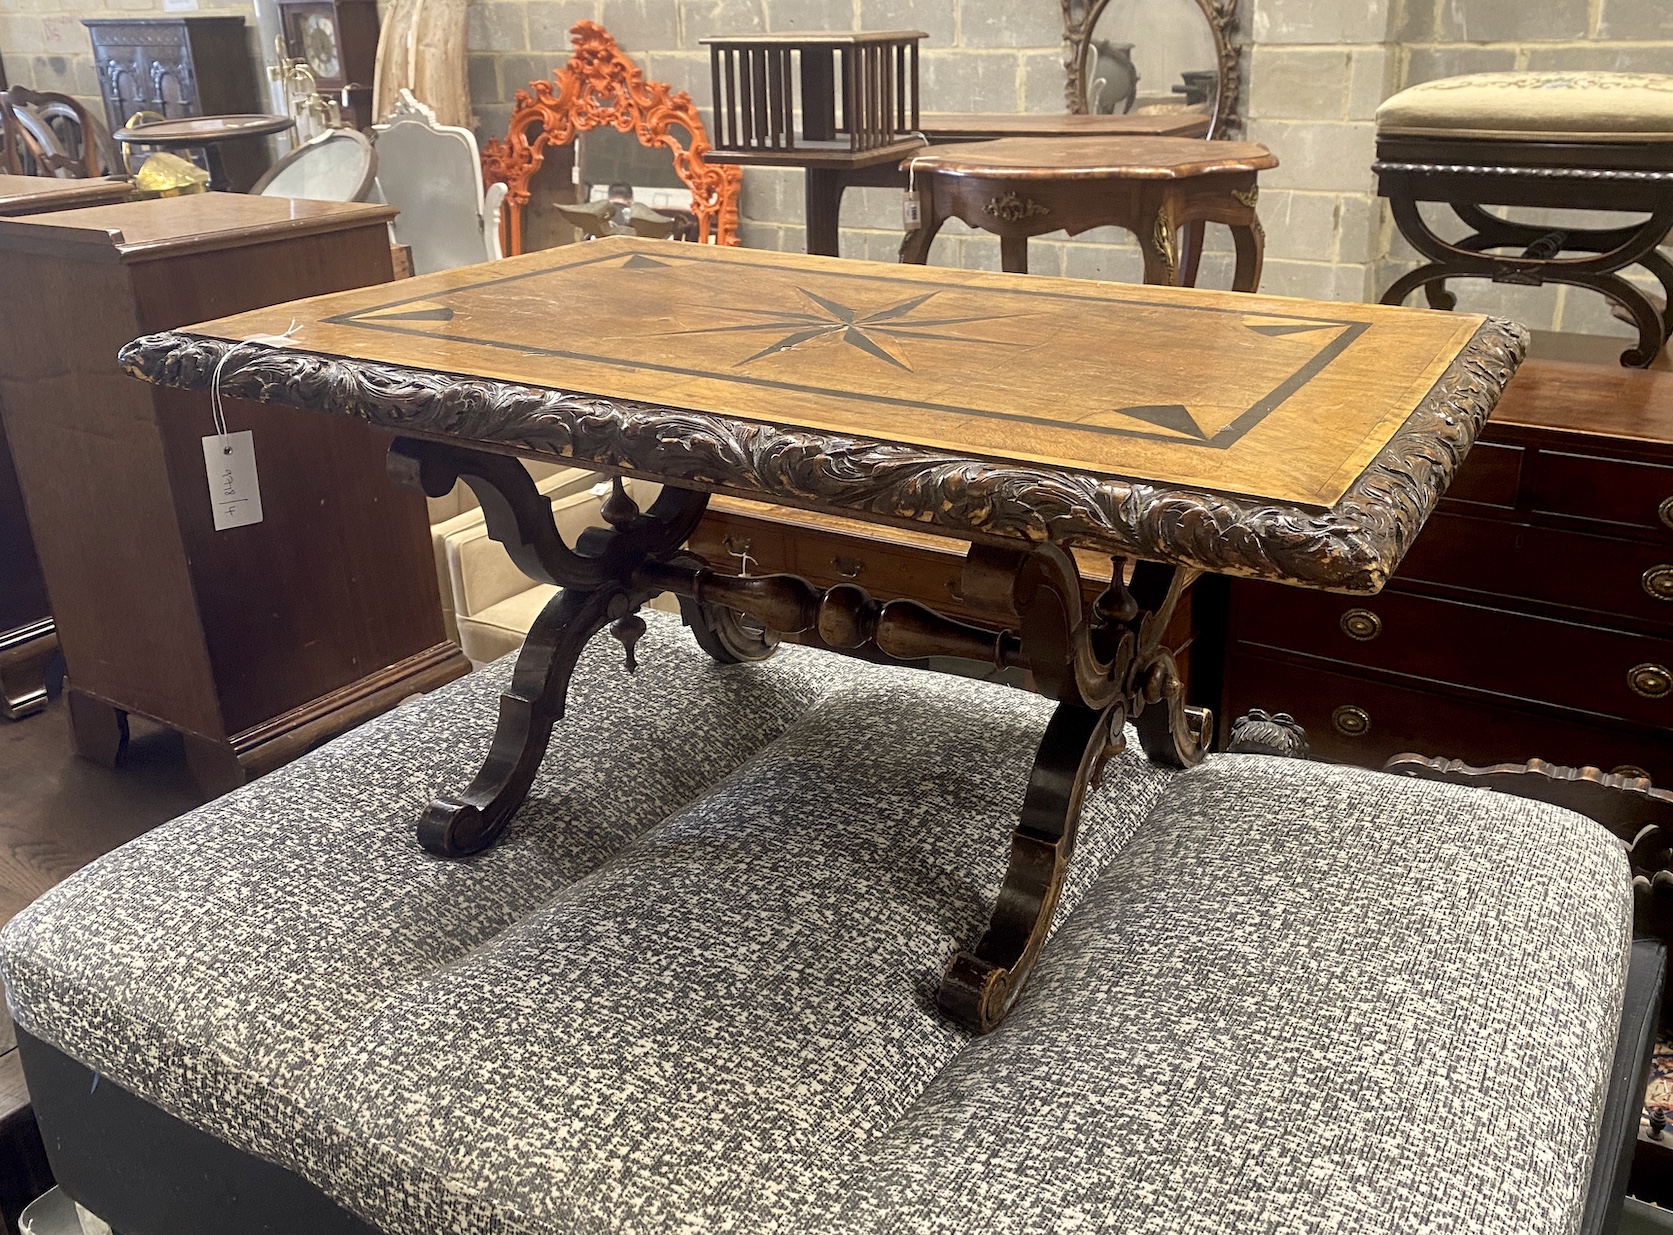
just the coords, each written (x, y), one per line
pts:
(1152, 187)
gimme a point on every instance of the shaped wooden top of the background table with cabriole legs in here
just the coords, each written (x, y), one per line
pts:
(1093, 158)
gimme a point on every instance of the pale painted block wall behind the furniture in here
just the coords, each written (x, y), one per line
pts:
(1316, 73)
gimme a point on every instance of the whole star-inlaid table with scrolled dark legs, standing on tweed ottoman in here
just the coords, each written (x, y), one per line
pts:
(1272, 439)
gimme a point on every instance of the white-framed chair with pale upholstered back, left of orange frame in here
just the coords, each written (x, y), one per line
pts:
(434, 175)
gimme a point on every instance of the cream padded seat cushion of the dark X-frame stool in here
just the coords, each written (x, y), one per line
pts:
(1523, 106)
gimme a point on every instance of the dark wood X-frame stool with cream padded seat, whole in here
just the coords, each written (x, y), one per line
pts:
(1545, 140)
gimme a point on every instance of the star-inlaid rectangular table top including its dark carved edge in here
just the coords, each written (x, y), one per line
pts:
(1257, 436)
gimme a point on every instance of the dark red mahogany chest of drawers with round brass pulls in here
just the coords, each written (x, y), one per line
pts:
(1532, 618)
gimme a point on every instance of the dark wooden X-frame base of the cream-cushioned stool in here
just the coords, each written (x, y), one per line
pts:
(1599, 177)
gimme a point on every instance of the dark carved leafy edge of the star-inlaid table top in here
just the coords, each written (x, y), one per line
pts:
(1351, 548)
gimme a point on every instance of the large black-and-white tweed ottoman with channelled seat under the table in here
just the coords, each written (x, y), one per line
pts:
(693, 990)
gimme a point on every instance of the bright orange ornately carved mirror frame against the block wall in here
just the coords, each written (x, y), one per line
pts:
(601, 88)
